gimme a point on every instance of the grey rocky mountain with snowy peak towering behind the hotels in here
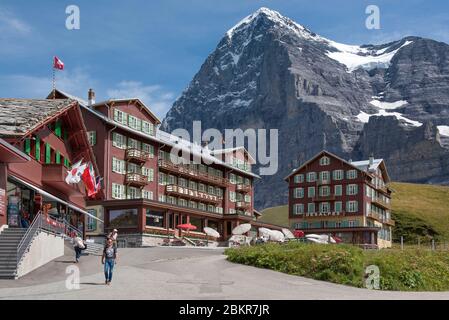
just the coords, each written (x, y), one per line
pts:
(389, 100)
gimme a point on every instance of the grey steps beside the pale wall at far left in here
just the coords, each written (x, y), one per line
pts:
(9, 241)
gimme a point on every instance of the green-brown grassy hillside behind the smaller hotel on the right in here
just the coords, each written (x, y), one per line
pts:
(419, 210)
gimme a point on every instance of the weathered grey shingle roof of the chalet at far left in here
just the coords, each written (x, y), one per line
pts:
(19, 116)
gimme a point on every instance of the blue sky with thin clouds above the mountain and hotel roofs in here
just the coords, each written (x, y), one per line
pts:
(152, 49)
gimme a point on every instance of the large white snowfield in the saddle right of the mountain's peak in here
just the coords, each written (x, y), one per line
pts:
(356, 57)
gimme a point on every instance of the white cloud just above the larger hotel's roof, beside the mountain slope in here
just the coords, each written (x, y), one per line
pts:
(154, 96)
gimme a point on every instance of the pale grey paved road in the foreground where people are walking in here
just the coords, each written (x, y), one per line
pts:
(181, 273)
